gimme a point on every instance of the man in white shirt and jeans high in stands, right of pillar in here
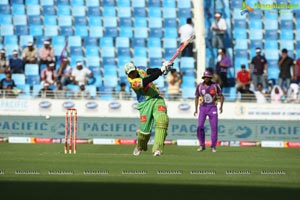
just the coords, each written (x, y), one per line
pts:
(219, 28)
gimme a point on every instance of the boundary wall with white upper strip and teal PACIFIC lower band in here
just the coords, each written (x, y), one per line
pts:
(110, 120)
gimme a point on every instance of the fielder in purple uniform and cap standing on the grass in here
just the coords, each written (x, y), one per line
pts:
(207, 94)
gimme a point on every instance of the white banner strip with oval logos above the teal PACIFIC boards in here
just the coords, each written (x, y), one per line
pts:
(181, 109)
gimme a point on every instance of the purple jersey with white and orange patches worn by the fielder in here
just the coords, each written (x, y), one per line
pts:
(209, 93)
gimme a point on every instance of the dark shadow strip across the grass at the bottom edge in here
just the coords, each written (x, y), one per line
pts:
(86, 190)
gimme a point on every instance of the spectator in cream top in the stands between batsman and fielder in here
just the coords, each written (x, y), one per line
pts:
(174, 81)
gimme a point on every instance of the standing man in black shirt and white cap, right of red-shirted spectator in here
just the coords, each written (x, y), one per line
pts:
(259, 69)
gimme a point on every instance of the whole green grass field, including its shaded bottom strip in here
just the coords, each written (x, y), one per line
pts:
(231, 173)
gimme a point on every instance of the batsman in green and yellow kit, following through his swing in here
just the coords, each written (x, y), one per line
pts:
(151, 106)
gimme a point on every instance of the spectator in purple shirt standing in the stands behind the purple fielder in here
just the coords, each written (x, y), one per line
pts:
(222, 66)
